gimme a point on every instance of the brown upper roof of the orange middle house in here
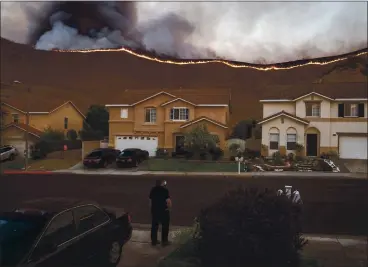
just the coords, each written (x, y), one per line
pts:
(205, 97)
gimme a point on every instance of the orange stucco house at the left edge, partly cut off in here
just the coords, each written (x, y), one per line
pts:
(14, 125)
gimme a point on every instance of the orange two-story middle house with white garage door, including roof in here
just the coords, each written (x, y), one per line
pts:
(159, 120)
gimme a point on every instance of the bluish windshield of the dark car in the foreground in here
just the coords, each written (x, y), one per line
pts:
(17, 235)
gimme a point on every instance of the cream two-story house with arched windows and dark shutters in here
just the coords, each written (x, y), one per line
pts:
(333, 117)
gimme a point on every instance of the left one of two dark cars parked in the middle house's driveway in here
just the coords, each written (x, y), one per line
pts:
(101, 157)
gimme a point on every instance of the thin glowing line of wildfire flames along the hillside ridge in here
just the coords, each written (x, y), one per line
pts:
(280, 66)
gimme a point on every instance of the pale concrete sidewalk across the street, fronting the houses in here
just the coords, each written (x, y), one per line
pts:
(224, 174)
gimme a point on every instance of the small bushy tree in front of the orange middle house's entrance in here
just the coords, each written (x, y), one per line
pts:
(199, 140)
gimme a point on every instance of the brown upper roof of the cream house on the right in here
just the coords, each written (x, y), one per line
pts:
(329, 90)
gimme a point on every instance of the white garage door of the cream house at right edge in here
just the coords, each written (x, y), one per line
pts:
(353, 147)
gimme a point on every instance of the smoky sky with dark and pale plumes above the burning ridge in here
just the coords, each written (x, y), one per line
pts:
(261, 32)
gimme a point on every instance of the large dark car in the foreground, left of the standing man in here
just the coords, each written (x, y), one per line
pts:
(63, 234)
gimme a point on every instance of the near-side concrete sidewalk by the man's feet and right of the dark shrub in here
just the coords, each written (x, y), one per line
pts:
(327, 250)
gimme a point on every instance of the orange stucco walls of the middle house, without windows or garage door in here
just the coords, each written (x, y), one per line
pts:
(164, 128)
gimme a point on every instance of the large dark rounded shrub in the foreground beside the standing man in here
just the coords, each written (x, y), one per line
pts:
(250, 228)
